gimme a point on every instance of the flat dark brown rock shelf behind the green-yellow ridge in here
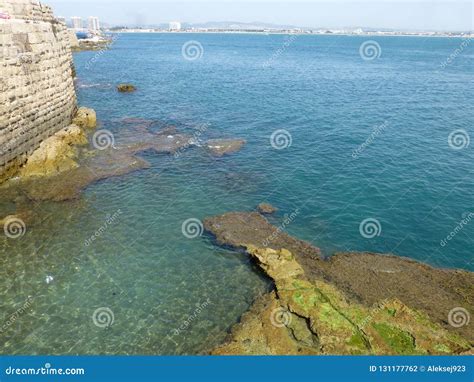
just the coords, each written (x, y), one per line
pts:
(363, 277)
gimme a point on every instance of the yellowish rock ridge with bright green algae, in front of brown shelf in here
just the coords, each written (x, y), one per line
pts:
(314, 317)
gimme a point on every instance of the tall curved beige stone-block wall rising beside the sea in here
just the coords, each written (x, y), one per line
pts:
(37, 96)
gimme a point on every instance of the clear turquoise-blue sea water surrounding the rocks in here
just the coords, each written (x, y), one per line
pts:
(172, 295)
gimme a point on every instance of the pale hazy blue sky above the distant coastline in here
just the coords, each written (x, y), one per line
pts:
(398, 14)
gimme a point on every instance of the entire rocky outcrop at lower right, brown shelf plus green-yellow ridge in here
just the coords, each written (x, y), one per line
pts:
(350, 303)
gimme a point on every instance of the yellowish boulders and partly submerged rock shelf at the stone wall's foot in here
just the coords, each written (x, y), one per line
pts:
(80, 155)
